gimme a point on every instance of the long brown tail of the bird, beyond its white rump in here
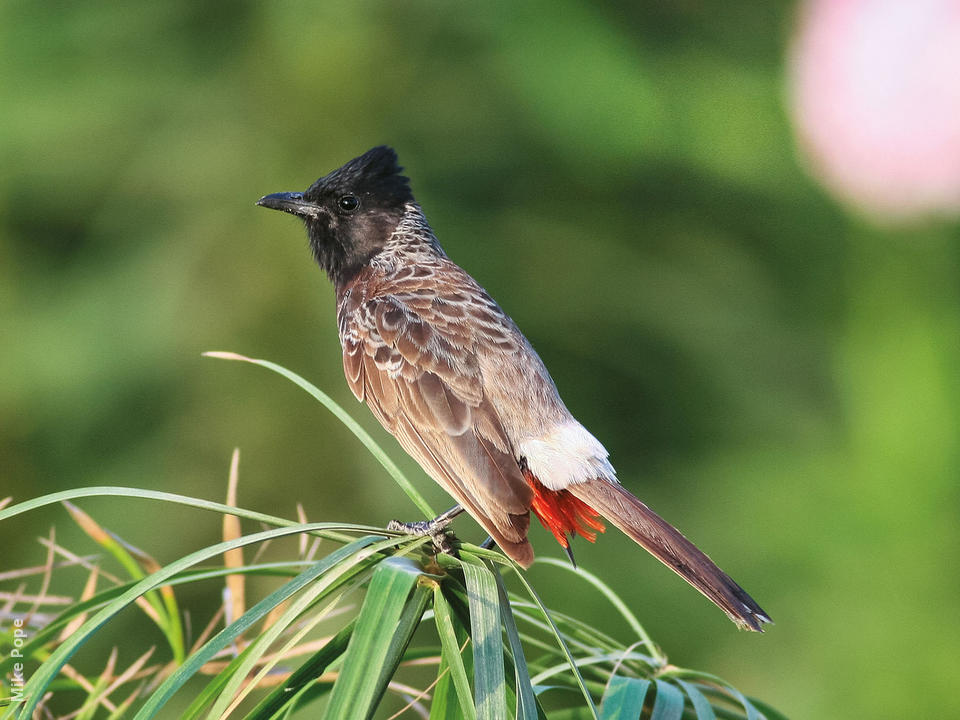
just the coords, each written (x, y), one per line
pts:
(669, 546)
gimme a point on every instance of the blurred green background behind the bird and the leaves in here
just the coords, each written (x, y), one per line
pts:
(773, 374)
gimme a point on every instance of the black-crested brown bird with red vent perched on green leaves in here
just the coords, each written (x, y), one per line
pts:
(450, 375)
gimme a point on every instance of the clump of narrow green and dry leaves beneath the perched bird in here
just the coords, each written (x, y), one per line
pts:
(353, 667)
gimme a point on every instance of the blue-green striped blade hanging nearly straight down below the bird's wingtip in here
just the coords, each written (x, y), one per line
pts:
(489, 681)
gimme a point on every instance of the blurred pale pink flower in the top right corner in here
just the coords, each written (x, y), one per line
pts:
(875, 99)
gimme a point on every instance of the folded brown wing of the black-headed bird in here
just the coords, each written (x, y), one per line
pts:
(411, 357)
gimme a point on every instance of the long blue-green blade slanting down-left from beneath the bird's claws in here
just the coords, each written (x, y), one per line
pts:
(329, 573)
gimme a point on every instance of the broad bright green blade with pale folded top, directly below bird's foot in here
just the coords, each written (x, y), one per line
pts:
(354, 693)
